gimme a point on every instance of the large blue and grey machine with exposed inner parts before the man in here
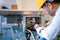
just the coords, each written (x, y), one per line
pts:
(16, 25)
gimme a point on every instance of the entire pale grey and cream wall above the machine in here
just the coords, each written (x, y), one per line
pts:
(23, 5)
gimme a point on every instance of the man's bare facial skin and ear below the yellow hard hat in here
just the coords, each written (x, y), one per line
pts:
(52, 8)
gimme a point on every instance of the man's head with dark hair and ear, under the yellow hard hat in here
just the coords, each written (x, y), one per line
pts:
(51, 6)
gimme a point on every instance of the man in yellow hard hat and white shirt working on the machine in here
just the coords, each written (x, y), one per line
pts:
(52, 7)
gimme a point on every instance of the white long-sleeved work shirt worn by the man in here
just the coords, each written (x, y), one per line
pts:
(51, 31)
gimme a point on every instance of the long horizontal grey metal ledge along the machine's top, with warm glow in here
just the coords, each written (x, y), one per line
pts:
(18, 12)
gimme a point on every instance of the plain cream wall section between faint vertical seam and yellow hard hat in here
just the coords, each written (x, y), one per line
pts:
(29, 5)
